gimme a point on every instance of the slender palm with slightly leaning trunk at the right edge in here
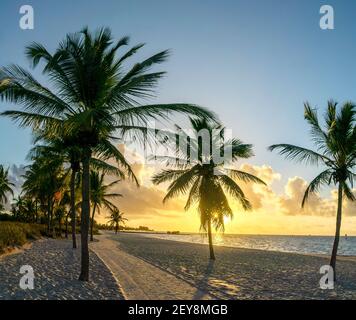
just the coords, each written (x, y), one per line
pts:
(335, 151)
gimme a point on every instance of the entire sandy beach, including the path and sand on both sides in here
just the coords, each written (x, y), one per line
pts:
(136, 267)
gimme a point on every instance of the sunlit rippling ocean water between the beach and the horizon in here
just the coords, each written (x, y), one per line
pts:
(297, 244)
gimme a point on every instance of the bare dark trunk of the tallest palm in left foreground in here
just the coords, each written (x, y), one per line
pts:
(85, 218)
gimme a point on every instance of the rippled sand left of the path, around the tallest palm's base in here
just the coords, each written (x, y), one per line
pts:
(56, 268)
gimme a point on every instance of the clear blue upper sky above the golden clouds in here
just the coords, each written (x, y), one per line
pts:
(253, 62)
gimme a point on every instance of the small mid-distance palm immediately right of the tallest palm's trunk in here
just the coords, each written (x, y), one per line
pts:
(100, 195)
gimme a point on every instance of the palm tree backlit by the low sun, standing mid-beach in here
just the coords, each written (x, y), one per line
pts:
(203, 178)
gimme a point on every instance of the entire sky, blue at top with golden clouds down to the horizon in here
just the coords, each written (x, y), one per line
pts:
(254, 62)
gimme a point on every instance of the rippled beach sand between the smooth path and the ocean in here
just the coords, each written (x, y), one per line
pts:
(239, 273)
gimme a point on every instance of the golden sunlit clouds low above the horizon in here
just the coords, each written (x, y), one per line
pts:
(144, 205)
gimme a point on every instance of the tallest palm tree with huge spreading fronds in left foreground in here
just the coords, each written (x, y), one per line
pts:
(92, 96)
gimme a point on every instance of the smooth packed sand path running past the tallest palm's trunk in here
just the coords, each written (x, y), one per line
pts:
(140, 280)
